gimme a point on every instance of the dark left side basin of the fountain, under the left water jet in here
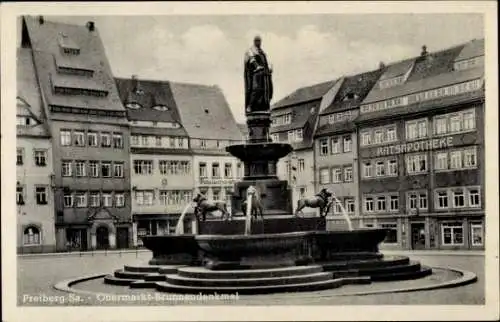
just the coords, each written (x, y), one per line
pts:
(172, 249)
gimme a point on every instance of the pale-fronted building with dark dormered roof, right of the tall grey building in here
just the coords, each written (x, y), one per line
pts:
(161, 161)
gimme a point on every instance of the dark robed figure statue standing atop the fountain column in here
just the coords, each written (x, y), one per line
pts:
(258, 82)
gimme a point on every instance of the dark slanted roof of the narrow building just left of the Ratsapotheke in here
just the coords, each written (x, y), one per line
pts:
(353, 91)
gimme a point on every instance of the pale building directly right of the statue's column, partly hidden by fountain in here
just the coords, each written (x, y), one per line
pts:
(293, 121)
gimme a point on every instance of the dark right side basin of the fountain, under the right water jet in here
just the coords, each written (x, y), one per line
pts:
(327, 244)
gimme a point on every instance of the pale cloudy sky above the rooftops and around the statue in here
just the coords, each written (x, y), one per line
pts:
(303, 49)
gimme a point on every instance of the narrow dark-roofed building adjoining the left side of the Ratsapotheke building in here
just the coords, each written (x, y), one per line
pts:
(335, 146)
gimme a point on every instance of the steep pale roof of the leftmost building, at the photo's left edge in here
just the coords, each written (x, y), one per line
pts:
(29, 101)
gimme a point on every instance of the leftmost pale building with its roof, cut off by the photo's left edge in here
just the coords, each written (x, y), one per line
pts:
(34, 195)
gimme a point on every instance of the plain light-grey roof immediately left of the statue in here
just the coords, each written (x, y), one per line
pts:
(204, 112)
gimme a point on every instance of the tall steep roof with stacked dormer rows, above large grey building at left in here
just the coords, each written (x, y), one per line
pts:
(45, 40)
